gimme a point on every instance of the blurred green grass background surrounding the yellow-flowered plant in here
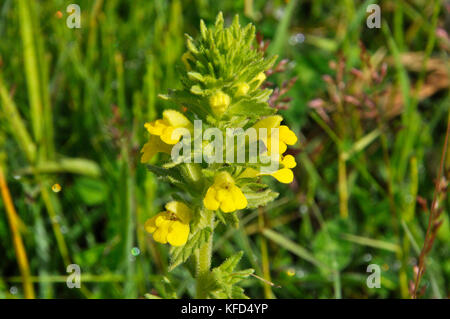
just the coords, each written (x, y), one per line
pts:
(370, 107)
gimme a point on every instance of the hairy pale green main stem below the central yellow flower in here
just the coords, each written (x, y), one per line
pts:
(204, 255)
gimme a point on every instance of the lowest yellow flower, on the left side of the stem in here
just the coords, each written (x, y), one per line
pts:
(172, 225)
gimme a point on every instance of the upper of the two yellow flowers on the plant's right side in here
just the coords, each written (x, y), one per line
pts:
(285, 135)
